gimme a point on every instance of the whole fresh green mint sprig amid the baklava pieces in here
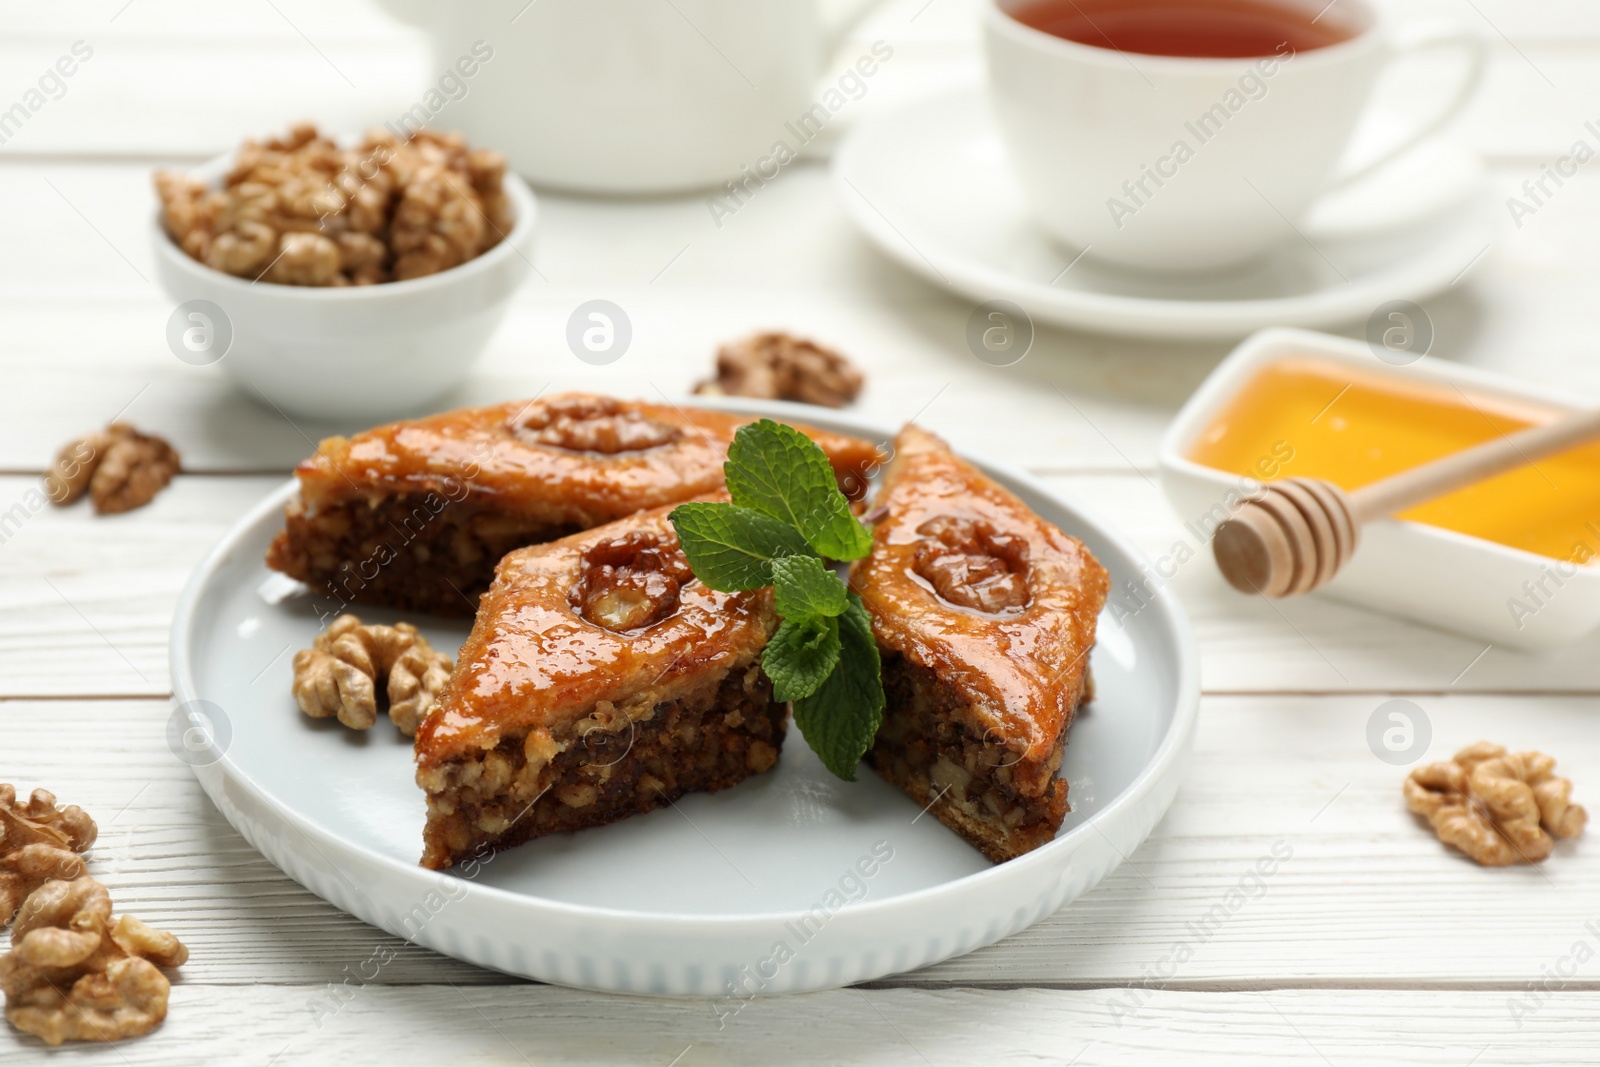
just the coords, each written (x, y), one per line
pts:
(786, 521)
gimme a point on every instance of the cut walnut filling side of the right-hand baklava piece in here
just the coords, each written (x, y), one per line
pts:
(974, 781)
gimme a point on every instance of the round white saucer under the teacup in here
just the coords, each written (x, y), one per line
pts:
(929, 183)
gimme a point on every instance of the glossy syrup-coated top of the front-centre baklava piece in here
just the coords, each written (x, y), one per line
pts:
(537, 665)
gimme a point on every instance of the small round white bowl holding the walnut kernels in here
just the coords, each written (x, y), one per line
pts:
(370, 353)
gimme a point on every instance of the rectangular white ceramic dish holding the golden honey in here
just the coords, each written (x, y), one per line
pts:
(1436, 577)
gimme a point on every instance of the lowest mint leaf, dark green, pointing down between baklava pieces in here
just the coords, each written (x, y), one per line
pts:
(844, 716)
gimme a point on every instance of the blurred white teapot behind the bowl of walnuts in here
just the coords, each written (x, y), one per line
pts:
(630, 97)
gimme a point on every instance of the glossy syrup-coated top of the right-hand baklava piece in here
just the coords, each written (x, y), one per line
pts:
(1022, 666)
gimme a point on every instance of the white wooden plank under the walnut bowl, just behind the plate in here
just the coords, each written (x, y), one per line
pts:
(1078, 402)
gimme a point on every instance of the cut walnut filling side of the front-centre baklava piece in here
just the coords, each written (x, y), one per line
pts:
(620, 761)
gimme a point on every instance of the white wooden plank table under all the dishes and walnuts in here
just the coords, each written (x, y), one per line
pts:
(1372, 945)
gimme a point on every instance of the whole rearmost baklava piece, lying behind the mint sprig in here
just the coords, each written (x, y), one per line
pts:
(415, 516)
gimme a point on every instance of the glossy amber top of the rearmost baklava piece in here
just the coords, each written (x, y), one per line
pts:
(574, 460)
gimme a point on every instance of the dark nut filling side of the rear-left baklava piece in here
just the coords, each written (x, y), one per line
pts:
(417, 553)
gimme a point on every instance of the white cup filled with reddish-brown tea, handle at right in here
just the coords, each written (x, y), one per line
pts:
(1190, 135)
